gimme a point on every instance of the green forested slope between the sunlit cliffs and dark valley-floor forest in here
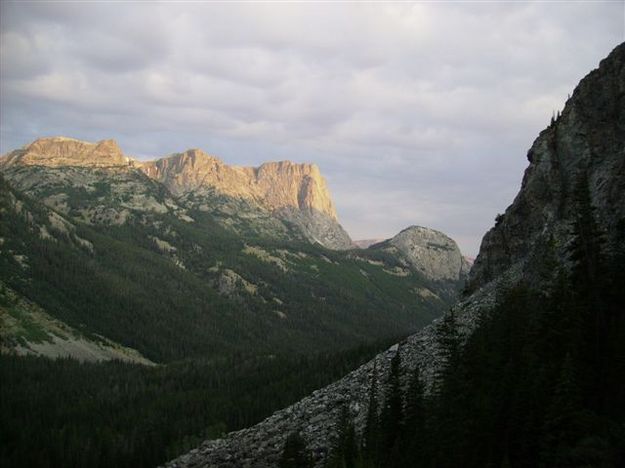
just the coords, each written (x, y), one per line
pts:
(175, 290)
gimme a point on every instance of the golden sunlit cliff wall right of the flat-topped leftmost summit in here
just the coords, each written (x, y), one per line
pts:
(295, 193)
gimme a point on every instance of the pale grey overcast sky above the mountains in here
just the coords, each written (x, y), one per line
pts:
(417, 113)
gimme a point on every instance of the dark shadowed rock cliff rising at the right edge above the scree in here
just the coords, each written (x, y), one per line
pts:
(587, 140)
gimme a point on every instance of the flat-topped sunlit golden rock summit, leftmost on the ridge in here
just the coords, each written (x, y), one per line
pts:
(63, 151)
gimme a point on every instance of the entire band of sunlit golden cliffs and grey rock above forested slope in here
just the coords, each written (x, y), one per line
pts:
(277, 199)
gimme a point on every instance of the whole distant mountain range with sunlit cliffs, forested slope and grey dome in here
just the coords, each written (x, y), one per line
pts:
(210, 258)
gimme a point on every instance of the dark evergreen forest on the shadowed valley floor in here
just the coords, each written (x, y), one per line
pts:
(62, 413)
